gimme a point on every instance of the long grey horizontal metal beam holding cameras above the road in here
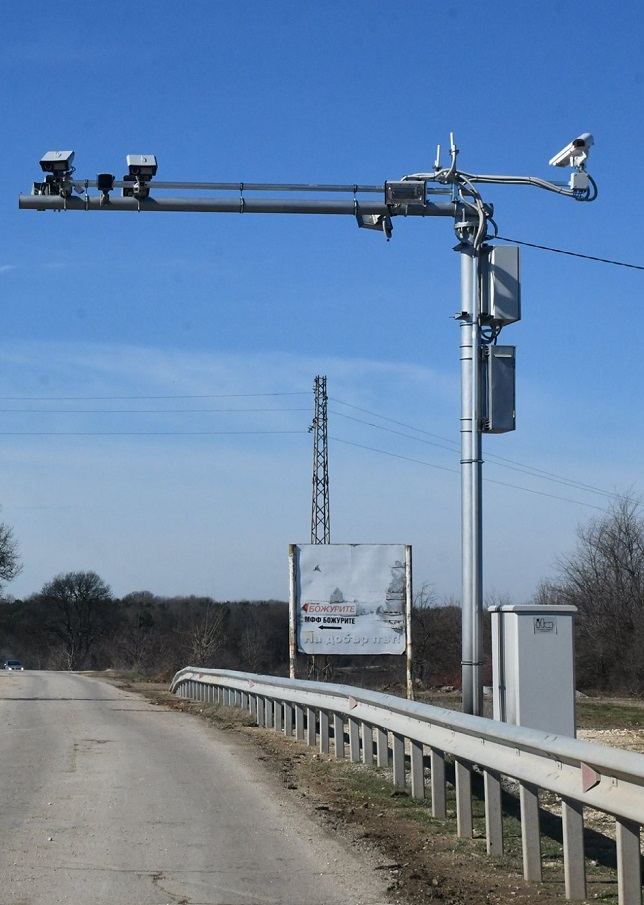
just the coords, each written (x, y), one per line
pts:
(239, 205)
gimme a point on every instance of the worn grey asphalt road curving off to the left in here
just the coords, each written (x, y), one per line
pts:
(108, 799)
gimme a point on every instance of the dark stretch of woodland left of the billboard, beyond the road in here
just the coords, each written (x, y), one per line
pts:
(76, 623)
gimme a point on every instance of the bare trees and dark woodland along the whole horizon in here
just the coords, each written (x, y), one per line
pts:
(76, 623)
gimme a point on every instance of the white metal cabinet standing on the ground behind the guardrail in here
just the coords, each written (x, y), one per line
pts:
(533, 667)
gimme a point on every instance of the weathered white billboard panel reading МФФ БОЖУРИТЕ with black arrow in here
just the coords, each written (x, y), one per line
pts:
(350, 598)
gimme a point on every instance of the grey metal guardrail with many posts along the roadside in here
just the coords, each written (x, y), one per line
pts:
(395, 732)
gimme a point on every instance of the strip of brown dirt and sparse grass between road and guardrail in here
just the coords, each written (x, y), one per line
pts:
(423, 858)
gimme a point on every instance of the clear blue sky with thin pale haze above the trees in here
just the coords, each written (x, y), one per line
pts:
(157, 370)
